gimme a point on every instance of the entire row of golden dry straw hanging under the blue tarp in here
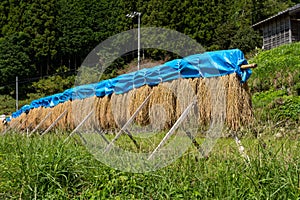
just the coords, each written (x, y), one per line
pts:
(167, 102)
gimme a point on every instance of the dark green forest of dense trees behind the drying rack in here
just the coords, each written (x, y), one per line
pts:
(43, 37)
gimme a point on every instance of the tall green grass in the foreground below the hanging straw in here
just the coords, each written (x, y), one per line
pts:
(46, 168)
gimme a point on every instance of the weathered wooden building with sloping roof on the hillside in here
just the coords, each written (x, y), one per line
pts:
(282, 28)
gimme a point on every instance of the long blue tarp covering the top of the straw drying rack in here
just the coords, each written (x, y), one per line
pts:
(209, 64)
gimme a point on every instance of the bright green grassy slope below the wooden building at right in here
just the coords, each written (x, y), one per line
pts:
(275, 84)
